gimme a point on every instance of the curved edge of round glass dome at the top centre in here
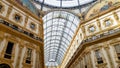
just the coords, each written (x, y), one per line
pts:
(64, 3)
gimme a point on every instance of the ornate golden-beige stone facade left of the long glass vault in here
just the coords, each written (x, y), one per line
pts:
(21, 37)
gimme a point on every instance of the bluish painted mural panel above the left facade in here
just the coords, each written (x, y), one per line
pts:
(28, 4)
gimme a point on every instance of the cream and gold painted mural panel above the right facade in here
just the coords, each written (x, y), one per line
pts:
(101, 6)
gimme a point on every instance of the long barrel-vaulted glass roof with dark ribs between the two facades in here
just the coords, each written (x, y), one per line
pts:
(59, 28)
